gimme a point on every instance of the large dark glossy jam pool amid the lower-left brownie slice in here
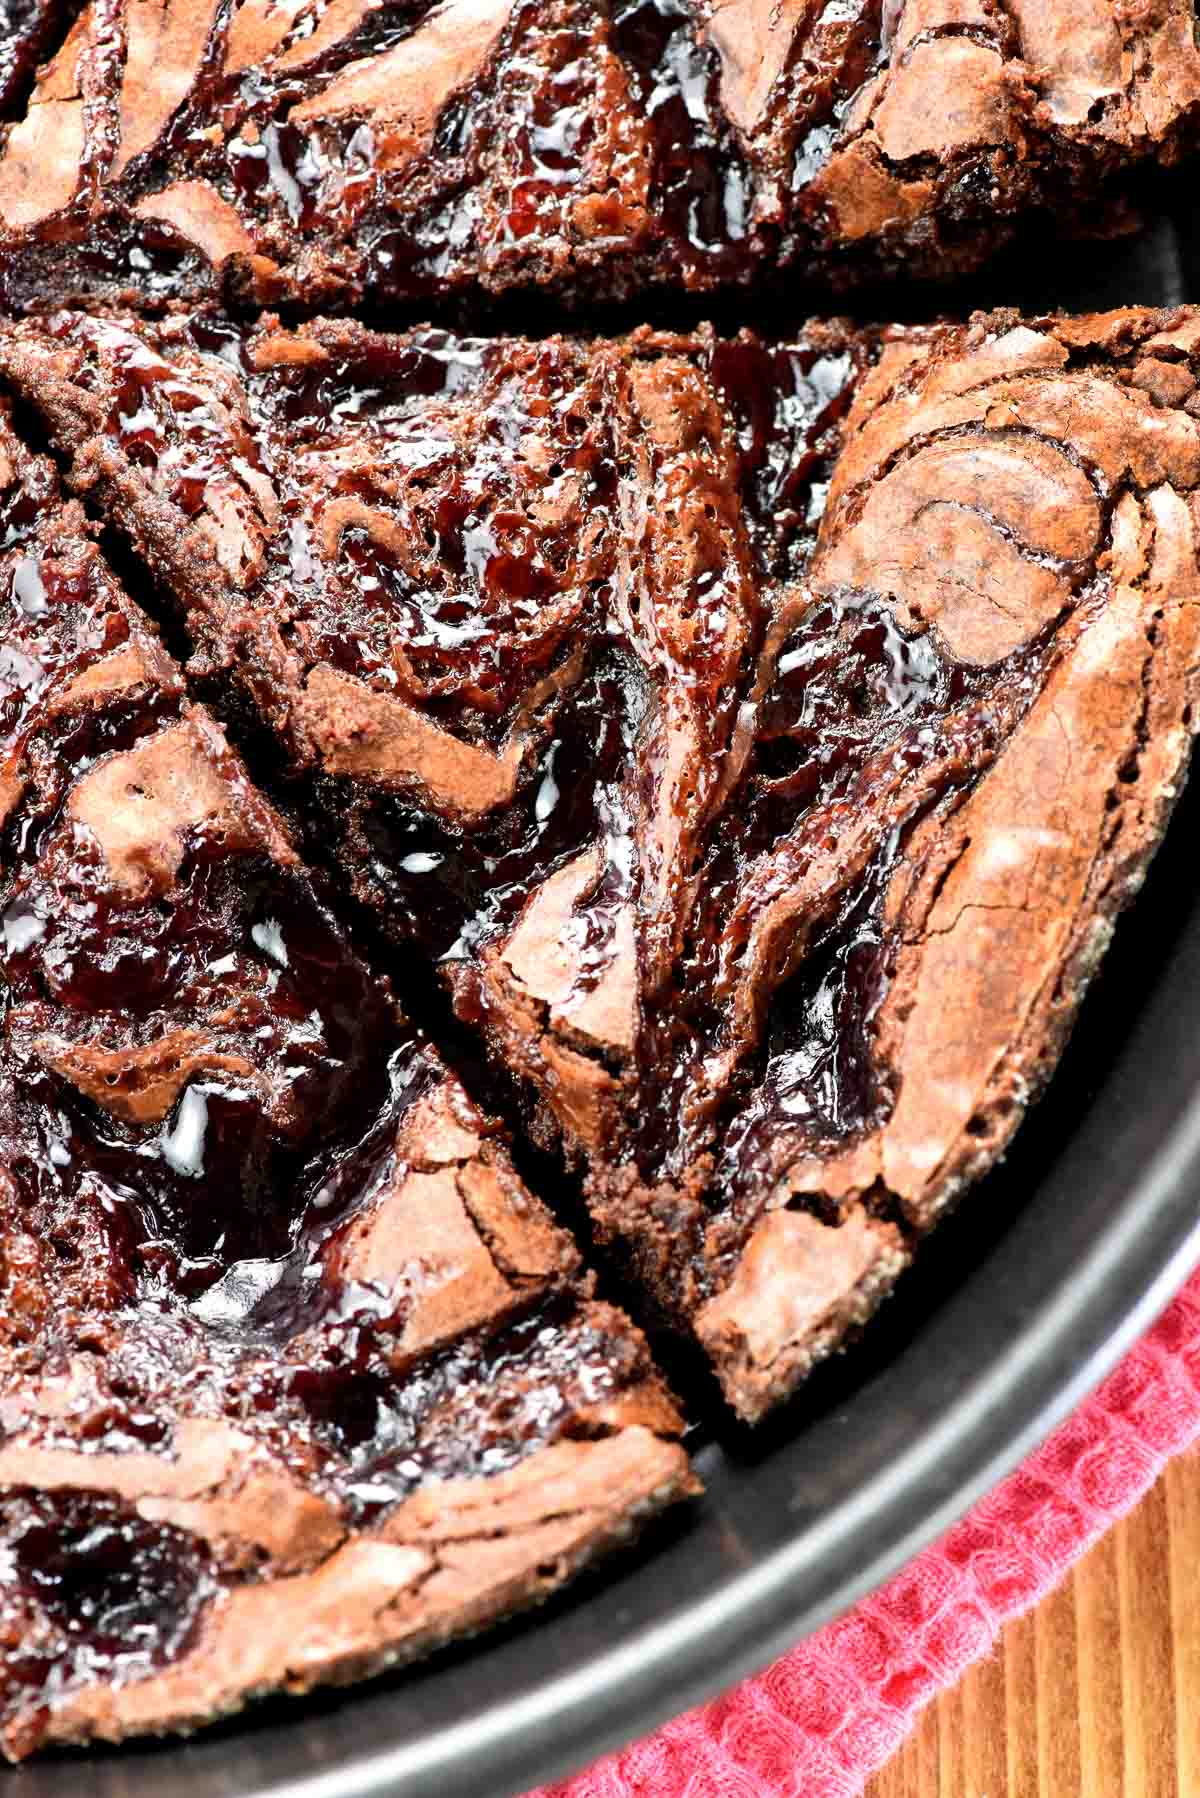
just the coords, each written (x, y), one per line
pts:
(222, 1179)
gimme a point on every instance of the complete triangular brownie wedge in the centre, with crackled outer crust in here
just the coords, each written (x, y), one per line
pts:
(758, 738)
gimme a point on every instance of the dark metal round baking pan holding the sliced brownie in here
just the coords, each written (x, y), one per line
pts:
(1017, 1306)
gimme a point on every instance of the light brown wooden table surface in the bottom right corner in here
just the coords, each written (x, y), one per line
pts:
(1097, 1695)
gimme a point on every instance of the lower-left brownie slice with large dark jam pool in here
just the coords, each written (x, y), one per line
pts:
(298, 1380)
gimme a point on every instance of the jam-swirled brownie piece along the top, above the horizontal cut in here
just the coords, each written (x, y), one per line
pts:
(345, 152)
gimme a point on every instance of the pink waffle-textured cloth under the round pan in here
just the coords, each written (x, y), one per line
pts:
(828, 1714)
